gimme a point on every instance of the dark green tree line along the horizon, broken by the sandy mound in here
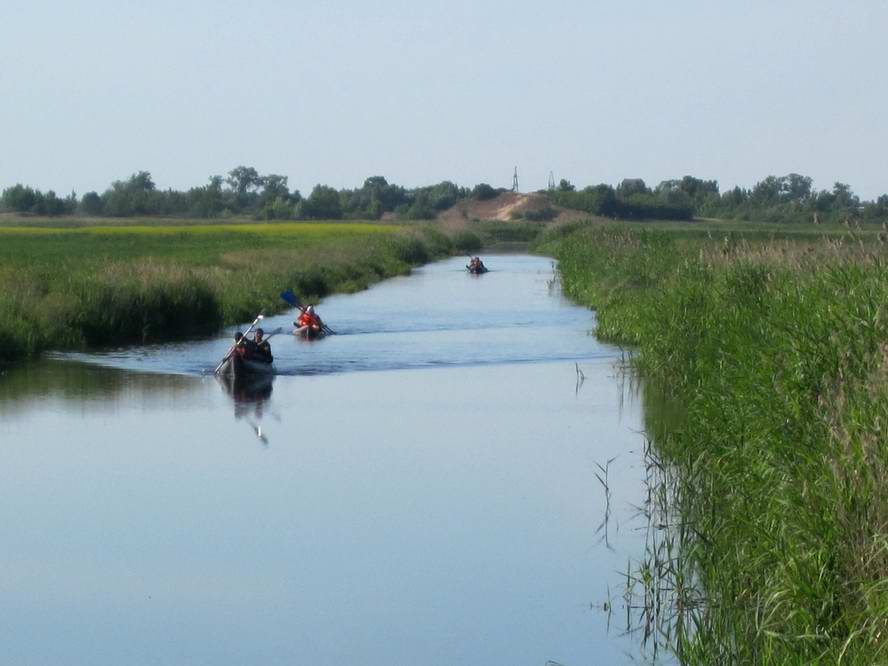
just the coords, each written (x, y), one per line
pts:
(244, 191)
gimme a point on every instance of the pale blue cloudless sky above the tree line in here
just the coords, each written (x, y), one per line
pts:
(463, 90)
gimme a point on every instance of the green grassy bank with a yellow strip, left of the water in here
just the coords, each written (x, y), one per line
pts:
(78, 286)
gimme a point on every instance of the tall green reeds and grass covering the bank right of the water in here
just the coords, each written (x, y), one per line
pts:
(777, 351)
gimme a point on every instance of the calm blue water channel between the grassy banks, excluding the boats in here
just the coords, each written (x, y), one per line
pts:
(418, 489)
